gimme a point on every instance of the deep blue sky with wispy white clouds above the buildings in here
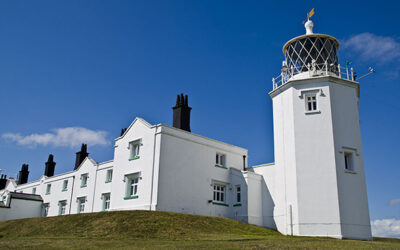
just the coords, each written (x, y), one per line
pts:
(74, 69)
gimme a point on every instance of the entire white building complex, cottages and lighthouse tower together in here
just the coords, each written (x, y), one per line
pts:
(315, 187)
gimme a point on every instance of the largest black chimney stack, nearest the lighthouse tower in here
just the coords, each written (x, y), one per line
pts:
(181, 113)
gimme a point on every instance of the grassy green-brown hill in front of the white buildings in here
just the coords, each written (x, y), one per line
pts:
(145, 229)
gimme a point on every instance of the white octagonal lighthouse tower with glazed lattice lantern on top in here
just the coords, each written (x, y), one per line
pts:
(318, 182)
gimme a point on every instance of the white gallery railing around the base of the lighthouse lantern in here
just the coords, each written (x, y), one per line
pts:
(314, 70)
